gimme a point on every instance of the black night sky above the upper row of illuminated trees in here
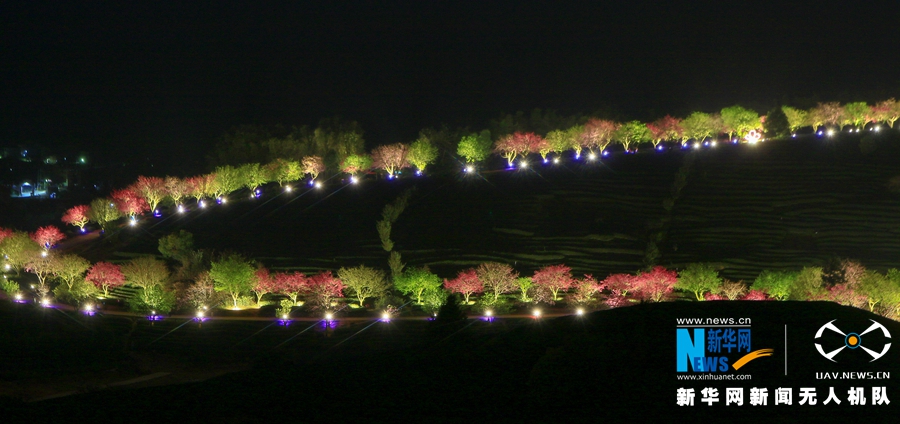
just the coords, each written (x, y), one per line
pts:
(161, 75)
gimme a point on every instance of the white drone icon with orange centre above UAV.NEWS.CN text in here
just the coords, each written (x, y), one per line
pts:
(853, 341)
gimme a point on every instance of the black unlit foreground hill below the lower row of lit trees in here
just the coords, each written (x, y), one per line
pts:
(615, 365)
